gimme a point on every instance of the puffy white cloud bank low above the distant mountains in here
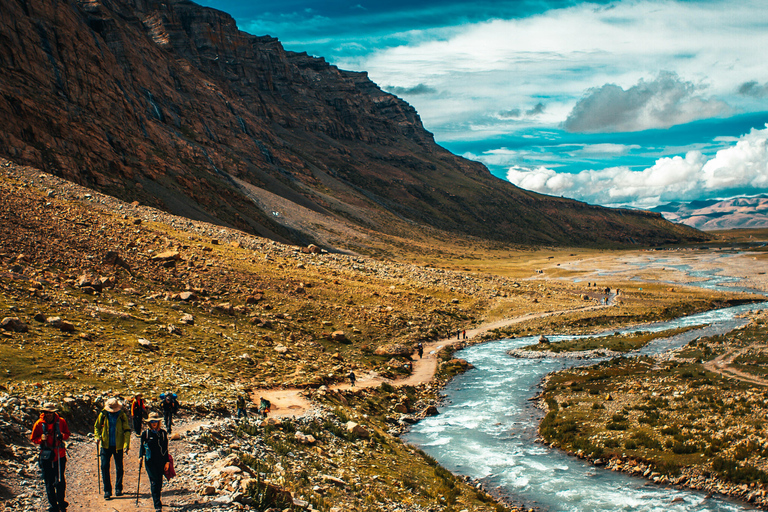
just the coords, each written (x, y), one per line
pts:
(741, 168)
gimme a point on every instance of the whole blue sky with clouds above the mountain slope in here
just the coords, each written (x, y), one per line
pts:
(611, 102)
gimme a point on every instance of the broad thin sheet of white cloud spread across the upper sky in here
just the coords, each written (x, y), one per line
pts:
(554, 57)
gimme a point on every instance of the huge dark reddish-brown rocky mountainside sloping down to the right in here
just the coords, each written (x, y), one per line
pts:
(168, 103)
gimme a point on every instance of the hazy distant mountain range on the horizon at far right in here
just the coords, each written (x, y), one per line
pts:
(712, 214)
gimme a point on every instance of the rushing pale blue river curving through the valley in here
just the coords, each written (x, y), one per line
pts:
(487, 427)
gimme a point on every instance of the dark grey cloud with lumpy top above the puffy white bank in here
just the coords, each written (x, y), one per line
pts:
(666, 101)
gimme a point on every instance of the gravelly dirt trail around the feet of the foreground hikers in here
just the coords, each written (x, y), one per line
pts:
(83, 493)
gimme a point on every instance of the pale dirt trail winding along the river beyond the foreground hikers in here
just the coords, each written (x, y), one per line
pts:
(289, 402)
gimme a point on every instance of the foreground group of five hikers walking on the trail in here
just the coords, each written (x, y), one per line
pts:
(112, 432)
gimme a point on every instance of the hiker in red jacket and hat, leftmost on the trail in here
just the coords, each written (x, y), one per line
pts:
(50, 432)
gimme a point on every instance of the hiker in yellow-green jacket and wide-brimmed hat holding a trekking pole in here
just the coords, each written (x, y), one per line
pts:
(113, 431)
